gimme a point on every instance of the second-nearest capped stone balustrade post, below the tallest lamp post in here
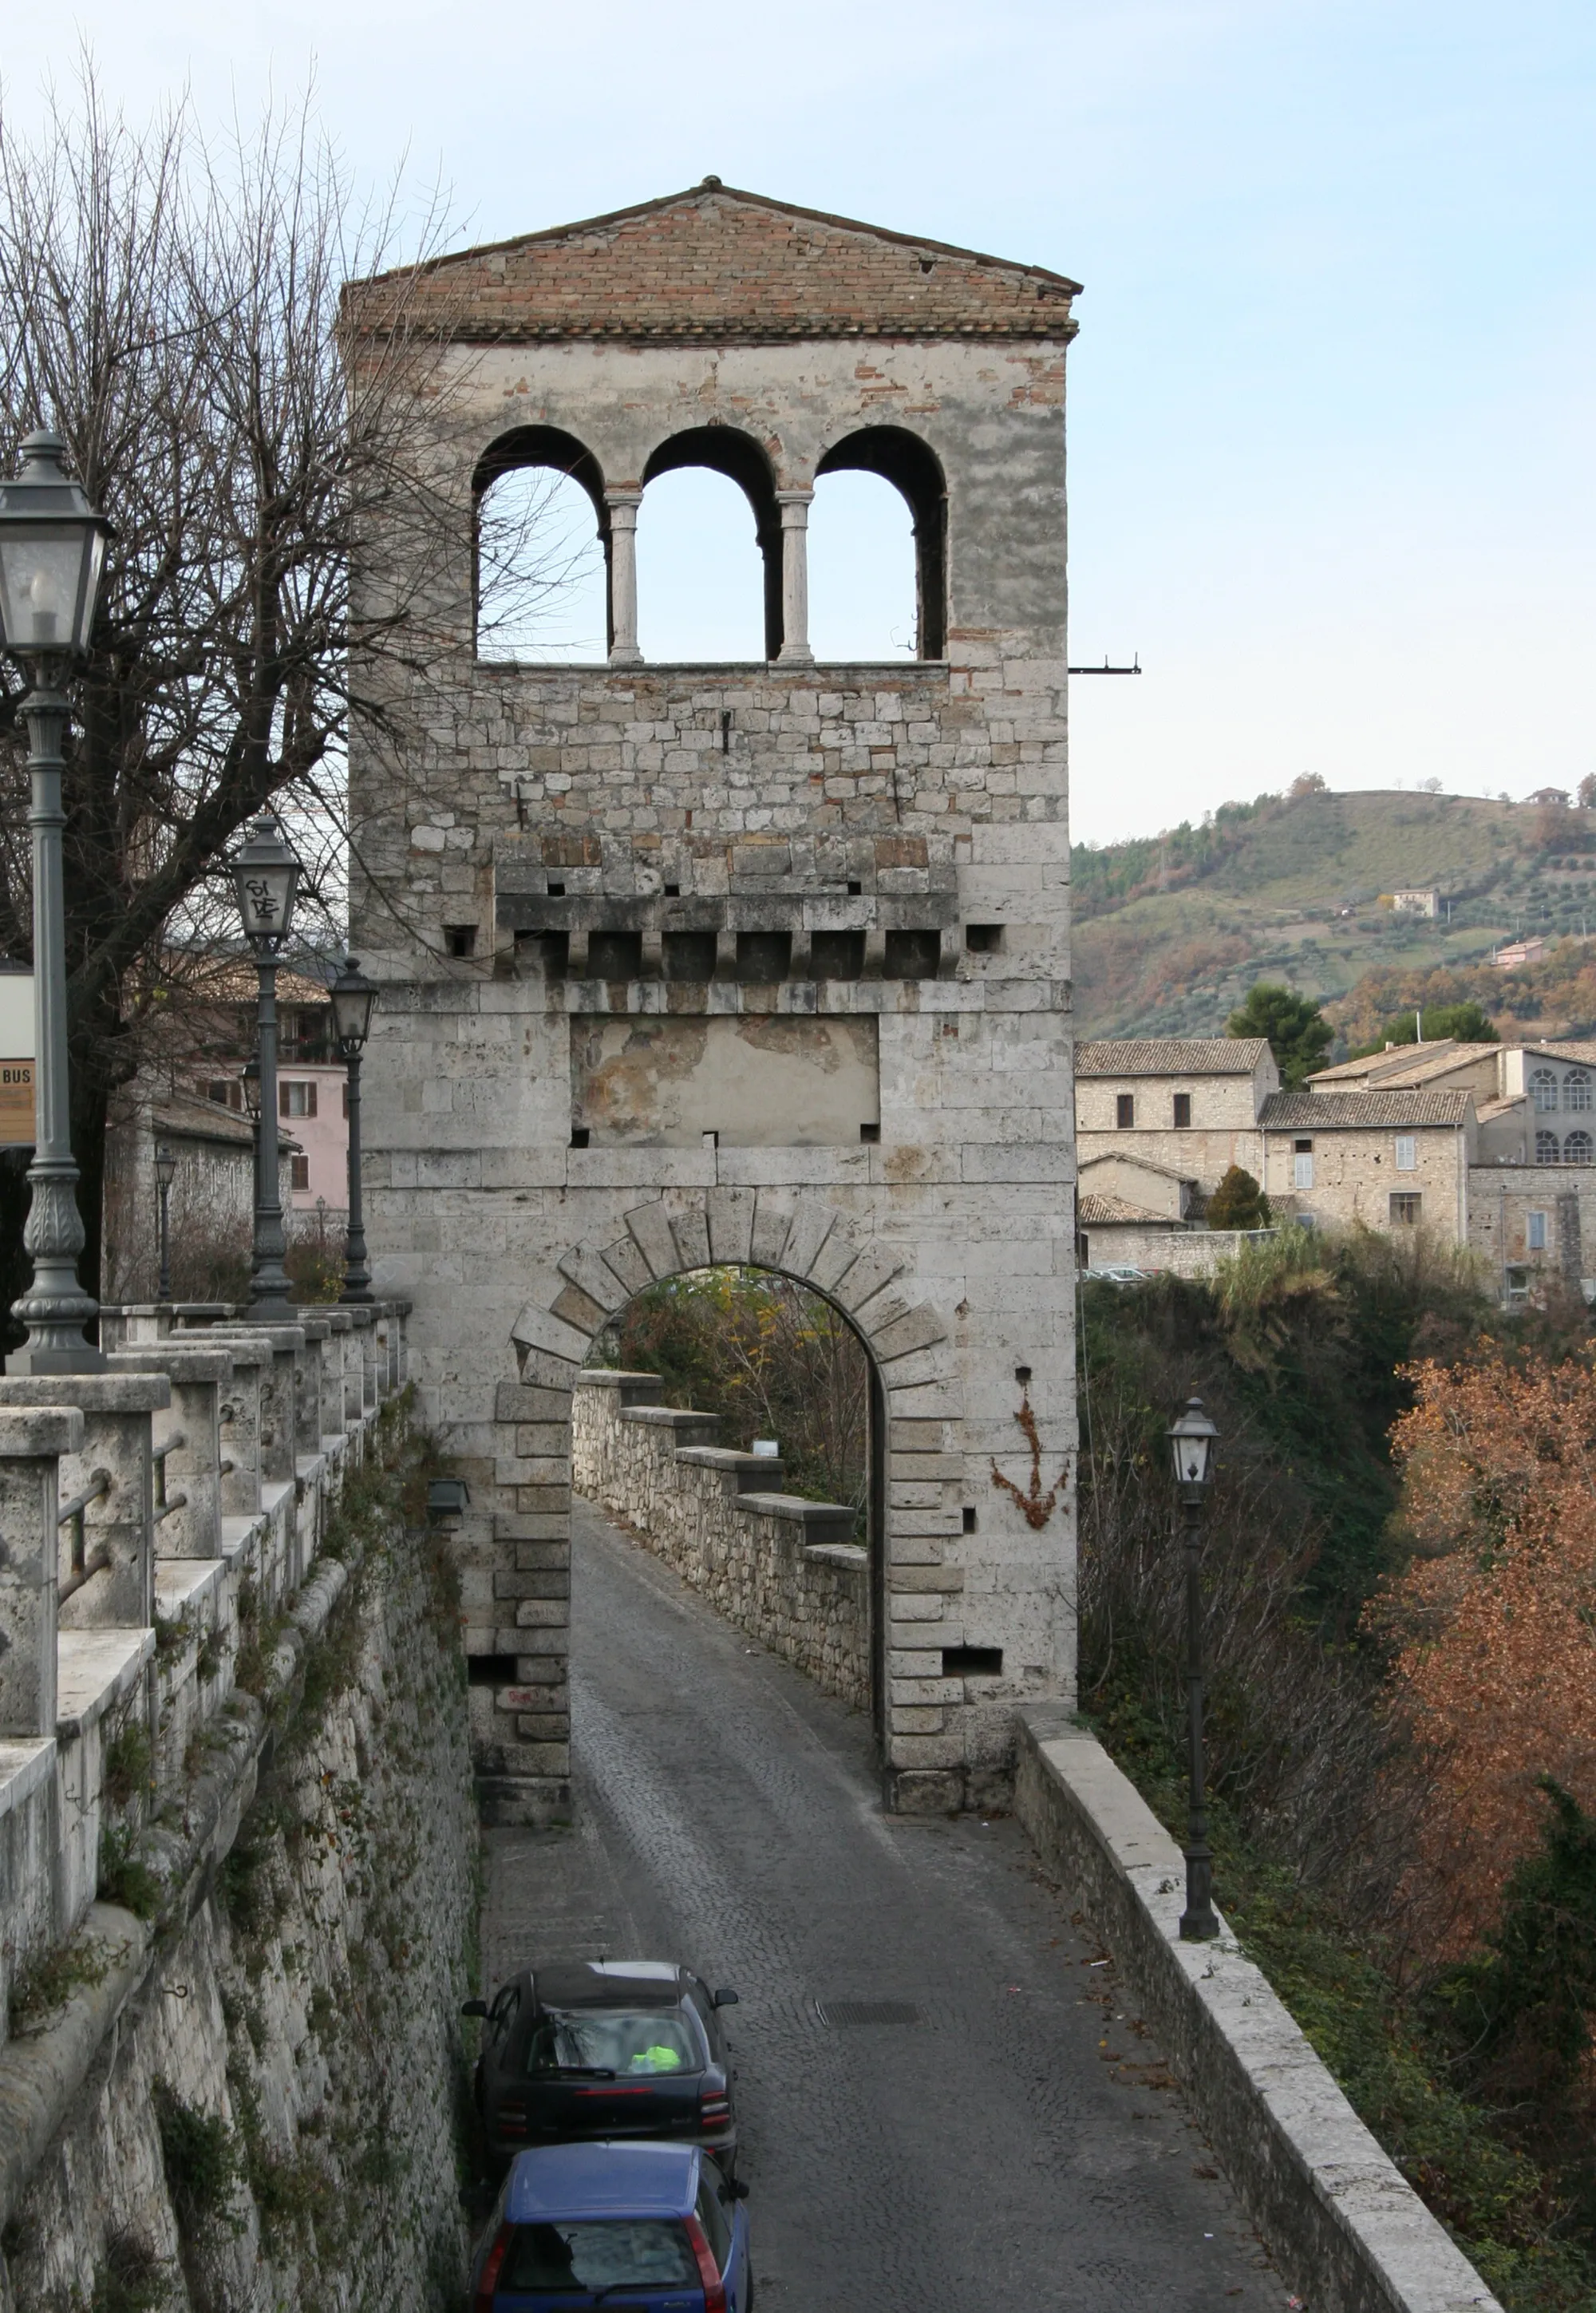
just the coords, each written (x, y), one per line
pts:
(112, 1586)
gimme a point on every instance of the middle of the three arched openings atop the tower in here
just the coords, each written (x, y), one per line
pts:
(700, 593)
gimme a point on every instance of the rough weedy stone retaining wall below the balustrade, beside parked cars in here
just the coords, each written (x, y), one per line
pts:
(272, 2113)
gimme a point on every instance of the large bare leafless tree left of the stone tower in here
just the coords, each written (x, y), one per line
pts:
(170, 309)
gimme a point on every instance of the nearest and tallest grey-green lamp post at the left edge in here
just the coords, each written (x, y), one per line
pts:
(52, 554)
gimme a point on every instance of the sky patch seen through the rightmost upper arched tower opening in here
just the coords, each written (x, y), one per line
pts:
(862, 570)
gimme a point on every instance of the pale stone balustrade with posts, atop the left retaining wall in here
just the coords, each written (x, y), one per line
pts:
(147, 1512)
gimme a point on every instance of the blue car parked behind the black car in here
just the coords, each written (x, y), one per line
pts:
(656, 2229)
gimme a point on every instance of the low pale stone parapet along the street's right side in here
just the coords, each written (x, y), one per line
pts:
(1345, 2226)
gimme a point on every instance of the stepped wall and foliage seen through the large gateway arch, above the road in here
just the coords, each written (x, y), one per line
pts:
(734, 1426)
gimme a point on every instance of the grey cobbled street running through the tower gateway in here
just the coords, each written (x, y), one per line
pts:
(1010, 2138)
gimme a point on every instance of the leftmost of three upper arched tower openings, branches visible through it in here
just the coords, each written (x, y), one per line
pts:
(540, 552)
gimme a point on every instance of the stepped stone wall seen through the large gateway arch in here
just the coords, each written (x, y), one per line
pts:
(778, 1567)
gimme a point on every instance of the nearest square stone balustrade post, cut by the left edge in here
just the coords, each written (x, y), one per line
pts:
(31, 1447)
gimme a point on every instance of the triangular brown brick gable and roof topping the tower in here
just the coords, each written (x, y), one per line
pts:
(723, 265)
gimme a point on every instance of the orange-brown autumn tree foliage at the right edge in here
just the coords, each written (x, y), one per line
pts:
(1493, 1625)
